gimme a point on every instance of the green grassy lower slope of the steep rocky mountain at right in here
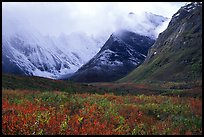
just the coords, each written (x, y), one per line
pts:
(176, 66)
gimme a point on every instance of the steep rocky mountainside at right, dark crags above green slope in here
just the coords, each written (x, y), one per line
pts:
(177, 53)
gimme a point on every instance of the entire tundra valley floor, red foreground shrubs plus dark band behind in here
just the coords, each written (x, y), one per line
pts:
(38, 106)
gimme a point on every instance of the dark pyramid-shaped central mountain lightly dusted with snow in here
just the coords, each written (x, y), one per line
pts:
(121, 53)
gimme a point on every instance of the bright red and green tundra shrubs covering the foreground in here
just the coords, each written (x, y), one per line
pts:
(35, 112)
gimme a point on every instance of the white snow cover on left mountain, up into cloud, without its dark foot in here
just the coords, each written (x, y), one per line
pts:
(46, 56)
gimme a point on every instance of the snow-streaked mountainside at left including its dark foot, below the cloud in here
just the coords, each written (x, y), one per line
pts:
(46, 57)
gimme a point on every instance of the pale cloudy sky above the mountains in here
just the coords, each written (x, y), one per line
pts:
(93, 18)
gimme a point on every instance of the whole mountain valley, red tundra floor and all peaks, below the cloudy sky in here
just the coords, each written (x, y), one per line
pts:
(132, 83)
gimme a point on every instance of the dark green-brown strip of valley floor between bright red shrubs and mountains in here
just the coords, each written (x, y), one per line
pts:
(191, 89)
